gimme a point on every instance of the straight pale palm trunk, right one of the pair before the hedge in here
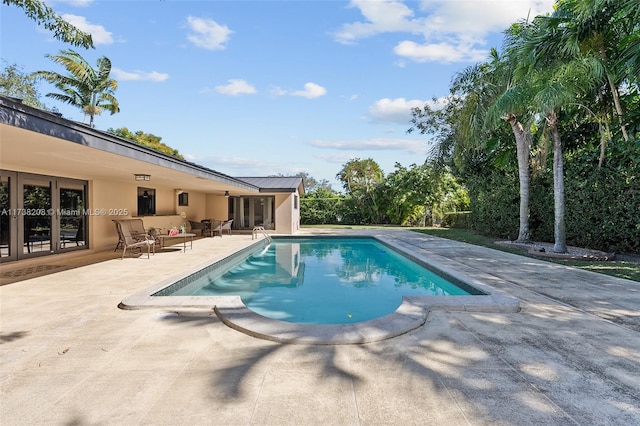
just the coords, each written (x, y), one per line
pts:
(559, 228)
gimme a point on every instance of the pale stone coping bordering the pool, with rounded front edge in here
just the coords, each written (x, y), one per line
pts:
(411, 314)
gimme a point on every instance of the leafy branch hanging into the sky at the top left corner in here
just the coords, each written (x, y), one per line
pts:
(44, 15)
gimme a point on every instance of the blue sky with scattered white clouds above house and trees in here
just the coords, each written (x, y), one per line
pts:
(261, 88)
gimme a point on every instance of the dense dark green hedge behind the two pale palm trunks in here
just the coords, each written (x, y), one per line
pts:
(602, 206)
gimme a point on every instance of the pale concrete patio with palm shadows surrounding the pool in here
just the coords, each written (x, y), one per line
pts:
(69, 355)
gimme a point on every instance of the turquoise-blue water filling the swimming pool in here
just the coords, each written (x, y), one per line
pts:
(320, 280)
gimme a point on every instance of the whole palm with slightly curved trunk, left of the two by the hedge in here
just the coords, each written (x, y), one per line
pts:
(482, 96)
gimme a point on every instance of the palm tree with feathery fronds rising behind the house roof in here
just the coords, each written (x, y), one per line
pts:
(87, 88)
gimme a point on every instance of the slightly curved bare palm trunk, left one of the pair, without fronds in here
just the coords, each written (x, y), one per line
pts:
(523, 148)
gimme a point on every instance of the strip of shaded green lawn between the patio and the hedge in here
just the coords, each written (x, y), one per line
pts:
(620, 269)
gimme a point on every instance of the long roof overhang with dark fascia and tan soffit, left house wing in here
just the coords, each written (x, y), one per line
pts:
(42, 142)
